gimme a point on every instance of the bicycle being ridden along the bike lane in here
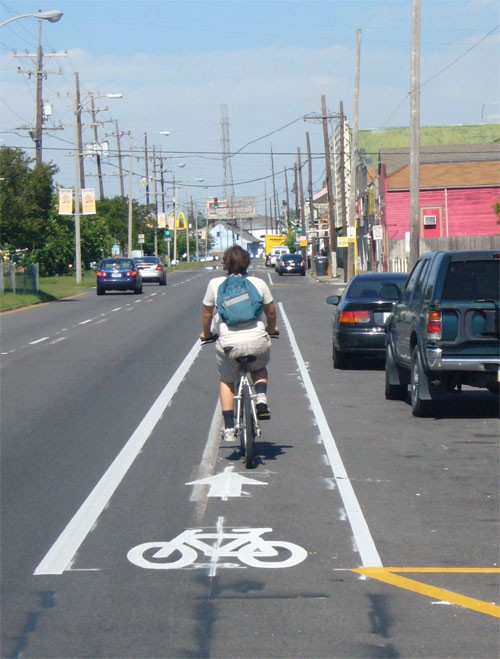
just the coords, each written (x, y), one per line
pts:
(246, 421)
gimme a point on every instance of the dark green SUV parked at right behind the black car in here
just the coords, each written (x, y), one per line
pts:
(444, 330)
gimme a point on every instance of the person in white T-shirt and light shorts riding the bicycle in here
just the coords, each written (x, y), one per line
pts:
(249, 339)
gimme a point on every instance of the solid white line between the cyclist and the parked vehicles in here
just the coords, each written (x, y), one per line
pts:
(361, 533)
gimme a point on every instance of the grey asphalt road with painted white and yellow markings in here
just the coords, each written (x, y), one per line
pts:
(361, 531)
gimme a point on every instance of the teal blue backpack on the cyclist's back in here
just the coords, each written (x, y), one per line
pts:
(238, 301)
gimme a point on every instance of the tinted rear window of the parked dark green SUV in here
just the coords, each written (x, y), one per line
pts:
(472, 280)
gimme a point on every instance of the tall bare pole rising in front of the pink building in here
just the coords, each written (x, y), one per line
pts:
(415, 137)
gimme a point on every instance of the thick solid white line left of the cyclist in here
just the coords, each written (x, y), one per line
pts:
(61, 554)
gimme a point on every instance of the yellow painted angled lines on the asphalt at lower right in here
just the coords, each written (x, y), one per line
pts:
(390, 576)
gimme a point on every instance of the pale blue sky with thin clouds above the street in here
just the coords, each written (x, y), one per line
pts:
(181, 64)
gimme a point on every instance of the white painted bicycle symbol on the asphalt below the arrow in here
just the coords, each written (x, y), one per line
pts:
(245, 545)
